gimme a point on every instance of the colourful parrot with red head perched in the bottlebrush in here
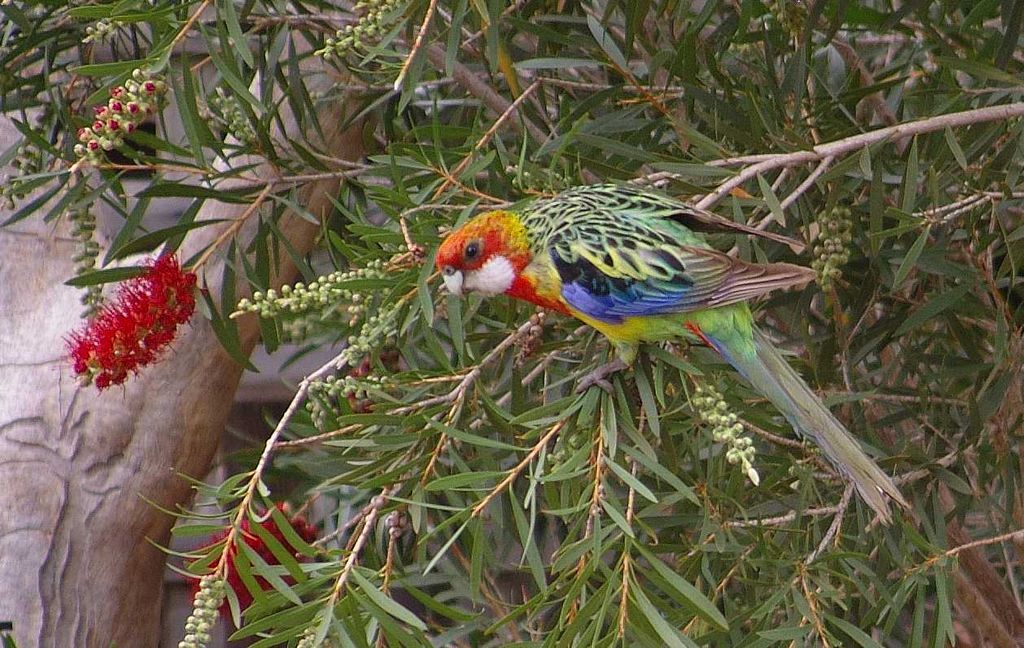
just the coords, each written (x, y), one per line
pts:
(631, 264)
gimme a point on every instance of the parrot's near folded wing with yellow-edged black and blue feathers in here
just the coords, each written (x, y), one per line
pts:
(632, 272)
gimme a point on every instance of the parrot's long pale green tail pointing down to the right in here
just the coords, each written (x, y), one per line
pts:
(769, 372)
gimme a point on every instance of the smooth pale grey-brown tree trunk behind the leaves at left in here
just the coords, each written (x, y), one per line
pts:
(78, 468)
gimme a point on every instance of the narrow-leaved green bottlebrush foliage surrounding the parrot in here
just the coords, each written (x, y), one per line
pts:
(479, 500)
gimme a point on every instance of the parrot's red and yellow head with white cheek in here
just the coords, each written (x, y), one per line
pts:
(486, 255)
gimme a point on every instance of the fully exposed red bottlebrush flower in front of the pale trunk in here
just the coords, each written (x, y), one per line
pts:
(134, 330)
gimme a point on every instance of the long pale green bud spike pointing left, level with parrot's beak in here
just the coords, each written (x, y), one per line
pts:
(326, 291)
